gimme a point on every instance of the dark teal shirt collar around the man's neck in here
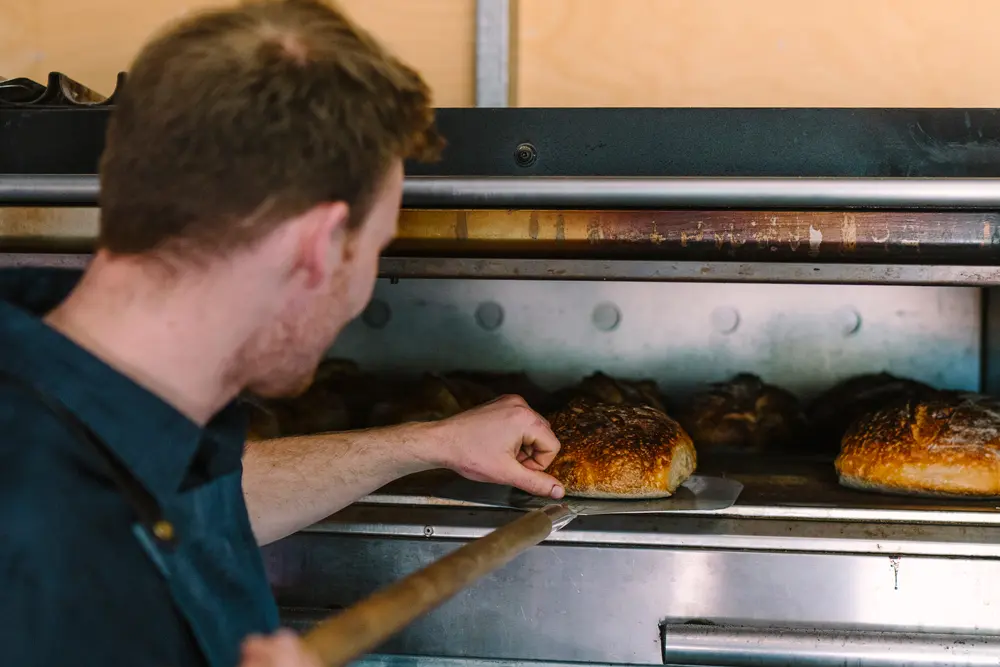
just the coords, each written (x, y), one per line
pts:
(152, 438)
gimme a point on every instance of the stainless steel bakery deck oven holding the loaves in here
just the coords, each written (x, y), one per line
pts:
(682, 245)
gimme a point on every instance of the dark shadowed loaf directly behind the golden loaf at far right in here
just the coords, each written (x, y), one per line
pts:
(834, 411)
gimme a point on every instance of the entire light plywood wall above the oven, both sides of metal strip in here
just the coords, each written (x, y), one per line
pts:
(605, 52)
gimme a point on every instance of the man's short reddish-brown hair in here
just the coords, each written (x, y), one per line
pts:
(237, 119)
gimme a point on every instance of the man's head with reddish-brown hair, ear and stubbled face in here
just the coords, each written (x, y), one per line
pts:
(275, 130)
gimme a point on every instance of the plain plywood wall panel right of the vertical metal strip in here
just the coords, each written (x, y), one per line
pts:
(878, 53)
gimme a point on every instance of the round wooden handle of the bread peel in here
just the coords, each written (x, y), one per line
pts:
(364, 626)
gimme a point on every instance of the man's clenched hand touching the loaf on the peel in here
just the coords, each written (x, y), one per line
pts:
(504, 442)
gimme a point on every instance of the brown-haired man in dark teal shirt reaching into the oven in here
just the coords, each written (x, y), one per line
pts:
(252, 175)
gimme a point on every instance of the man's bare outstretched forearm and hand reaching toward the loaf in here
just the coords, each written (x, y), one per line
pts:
(291, 483)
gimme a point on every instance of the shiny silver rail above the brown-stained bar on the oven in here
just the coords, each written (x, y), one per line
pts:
(631, 192)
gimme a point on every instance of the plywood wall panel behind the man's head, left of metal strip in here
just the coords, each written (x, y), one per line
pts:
(92, 40)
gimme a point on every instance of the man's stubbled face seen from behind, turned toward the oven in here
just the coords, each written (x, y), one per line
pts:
(285, 358)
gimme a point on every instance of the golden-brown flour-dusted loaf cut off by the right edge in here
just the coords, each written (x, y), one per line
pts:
(946, 445)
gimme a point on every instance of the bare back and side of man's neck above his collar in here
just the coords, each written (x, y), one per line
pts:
(177, 336)
